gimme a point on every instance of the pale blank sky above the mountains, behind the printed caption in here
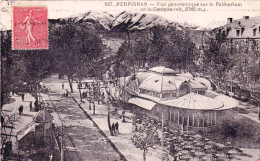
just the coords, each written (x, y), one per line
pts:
(62, 9)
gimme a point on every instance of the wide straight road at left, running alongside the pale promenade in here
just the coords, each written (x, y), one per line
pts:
(82, 139)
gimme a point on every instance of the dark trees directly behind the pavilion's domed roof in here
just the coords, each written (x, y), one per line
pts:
(169, 47)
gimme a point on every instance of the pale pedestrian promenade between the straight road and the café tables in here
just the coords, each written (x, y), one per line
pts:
(123, 140)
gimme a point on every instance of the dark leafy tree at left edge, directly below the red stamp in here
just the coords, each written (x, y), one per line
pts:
(20, 67)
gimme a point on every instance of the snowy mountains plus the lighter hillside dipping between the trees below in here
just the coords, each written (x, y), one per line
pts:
(112, 28)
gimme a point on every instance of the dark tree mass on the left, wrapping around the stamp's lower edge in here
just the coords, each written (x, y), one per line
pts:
(72, 52)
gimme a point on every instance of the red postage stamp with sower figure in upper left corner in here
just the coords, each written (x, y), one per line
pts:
(30, 28)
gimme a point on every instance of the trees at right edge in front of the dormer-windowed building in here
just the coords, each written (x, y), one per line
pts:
(232, 59)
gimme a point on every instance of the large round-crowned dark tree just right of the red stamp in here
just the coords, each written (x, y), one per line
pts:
(77, 48)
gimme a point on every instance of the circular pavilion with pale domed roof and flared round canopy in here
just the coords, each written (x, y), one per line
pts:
(184, 102)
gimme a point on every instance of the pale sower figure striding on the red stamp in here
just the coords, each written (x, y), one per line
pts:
(29, 24)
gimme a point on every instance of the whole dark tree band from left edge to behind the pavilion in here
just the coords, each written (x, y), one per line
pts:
(76, 50)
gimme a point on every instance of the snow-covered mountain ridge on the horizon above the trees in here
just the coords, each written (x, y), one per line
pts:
(122, 21)
